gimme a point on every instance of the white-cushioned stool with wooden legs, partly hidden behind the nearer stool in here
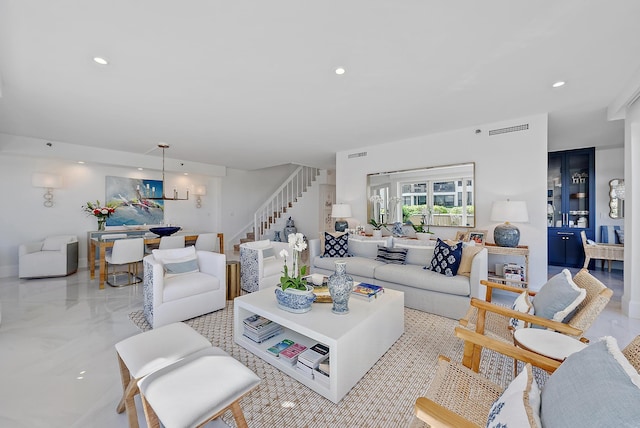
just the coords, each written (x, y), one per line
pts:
(147, 352)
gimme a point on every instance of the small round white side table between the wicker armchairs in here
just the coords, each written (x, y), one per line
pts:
(547, 342)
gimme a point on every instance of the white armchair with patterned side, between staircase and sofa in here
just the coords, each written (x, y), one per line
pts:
(261, 265)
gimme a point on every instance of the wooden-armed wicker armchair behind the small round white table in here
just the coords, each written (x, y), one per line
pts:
(493, 320)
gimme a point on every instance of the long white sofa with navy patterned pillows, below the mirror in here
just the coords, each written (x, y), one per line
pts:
(424, 289)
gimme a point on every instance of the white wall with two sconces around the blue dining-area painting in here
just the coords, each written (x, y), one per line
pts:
(23, 217)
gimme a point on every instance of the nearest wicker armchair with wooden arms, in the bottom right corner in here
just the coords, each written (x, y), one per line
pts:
(459, 397)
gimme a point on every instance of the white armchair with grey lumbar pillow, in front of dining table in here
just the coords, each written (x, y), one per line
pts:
(173, 294)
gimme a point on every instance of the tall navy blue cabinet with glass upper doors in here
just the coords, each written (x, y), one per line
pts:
(570, 205)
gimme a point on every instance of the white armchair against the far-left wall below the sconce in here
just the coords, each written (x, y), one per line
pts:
(54, 256)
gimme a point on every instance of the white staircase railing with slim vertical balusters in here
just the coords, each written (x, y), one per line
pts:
(277, 204)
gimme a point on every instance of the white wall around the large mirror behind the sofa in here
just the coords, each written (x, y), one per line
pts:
(511, 165)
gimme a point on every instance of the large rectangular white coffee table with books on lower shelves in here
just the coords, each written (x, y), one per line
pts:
(356, 340)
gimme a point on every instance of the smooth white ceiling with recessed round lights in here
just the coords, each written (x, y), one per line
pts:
(250, 84)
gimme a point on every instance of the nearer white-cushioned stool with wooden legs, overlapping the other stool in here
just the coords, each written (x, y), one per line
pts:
(196, 390)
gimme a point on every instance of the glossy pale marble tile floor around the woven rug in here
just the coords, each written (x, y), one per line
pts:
(57, 361)
